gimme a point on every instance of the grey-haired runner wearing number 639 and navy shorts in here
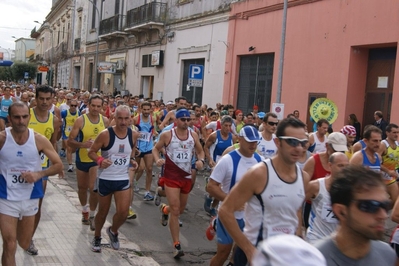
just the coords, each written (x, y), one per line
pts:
(117, 155)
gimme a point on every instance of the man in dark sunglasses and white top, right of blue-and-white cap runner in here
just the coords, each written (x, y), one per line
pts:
(267, 147)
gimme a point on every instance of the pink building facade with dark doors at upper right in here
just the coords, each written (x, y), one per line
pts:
(344, 50)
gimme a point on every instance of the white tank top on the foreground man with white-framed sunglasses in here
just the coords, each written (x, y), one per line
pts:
(281, 201)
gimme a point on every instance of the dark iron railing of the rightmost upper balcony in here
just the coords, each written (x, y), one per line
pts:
(151, 12)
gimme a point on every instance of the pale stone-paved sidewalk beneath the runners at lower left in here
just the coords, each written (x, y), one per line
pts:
(62, 240)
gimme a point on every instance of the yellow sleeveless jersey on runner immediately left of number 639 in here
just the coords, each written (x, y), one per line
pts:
(88, 132)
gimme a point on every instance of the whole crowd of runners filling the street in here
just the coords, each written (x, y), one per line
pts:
(268, 178)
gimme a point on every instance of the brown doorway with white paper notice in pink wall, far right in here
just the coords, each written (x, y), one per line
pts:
(379, 83)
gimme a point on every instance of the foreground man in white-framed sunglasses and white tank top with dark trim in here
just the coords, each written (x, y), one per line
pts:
(272, 191)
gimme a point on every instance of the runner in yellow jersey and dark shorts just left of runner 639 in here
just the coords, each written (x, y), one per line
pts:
(86, 128)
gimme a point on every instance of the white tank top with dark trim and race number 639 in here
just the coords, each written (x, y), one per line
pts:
(118, 151)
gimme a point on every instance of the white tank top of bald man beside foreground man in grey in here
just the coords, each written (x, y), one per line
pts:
(322, 221)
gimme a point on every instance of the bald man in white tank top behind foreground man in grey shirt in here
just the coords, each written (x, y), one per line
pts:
(322, 221)
